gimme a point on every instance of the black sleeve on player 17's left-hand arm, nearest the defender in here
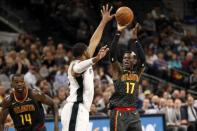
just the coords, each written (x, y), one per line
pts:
(113, 46)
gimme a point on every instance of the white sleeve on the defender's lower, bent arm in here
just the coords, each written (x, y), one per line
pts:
(82, 66)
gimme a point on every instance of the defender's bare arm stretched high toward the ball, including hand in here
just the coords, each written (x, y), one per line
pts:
(96, 37)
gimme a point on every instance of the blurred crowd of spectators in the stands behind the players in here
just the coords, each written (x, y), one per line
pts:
(169, 49)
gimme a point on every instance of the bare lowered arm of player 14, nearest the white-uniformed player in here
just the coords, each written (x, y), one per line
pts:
(40, 96)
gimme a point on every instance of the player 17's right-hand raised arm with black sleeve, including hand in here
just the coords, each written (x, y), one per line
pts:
(139, 49)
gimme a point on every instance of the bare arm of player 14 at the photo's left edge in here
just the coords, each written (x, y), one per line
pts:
(4, 112)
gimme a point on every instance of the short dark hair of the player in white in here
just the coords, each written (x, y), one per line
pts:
(78, 49)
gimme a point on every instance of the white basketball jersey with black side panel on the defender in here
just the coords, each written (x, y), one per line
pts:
(81, 87)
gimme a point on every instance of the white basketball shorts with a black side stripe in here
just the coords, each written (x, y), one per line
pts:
(74, 117)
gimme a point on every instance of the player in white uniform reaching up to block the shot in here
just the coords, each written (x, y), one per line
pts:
(75, 114)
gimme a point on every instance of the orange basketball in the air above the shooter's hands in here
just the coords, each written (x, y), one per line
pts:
(124, 15)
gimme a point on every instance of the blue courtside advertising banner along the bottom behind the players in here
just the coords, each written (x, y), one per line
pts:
(154, 122)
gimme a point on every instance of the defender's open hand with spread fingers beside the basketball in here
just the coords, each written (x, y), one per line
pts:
(105, 11)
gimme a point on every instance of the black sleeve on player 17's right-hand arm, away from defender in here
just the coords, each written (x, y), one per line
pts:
(140, 53)
